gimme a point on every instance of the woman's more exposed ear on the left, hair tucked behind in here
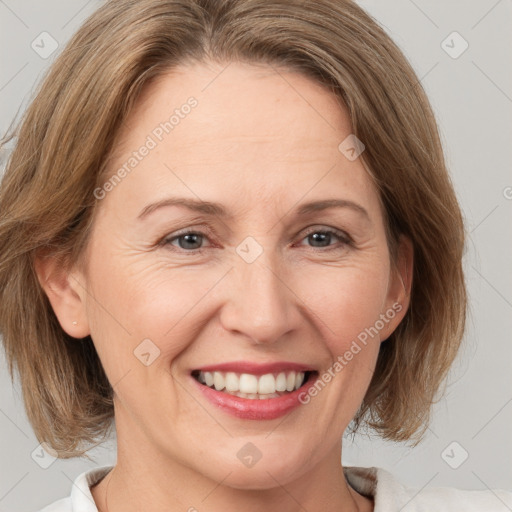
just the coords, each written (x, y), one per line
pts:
(66, 293)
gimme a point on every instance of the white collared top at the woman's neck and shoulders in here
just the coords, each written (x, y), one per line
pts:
(389, 495)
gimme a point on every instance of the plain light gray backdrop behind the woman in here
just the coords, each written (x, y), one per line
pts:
(472, 98)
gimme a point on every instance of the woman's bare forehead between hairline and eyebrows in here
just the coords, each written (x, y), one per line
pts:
(256, 131)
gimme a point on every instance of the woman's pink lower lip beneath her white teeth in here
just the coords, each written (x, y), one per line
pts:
(266, 409)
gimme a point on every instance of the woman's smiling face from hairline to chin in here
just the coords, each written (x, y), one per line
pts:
(247, 275)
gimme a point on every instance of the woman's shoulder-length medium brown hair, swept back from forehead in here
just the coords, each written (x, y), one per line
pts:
(64, 140)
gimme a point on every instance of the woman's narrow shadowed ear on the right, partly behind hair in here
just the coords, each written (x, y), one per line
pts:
(399, 287)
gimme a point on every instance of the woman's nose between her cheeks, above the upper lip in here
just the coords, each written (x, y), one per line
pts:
(260, 303)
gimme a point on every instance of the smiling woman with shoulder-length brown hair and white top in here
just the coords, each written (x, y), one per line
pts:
(228, 225)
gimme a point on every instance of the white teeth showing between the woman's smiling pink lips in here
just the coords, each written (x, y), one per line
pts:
(254, 387)
